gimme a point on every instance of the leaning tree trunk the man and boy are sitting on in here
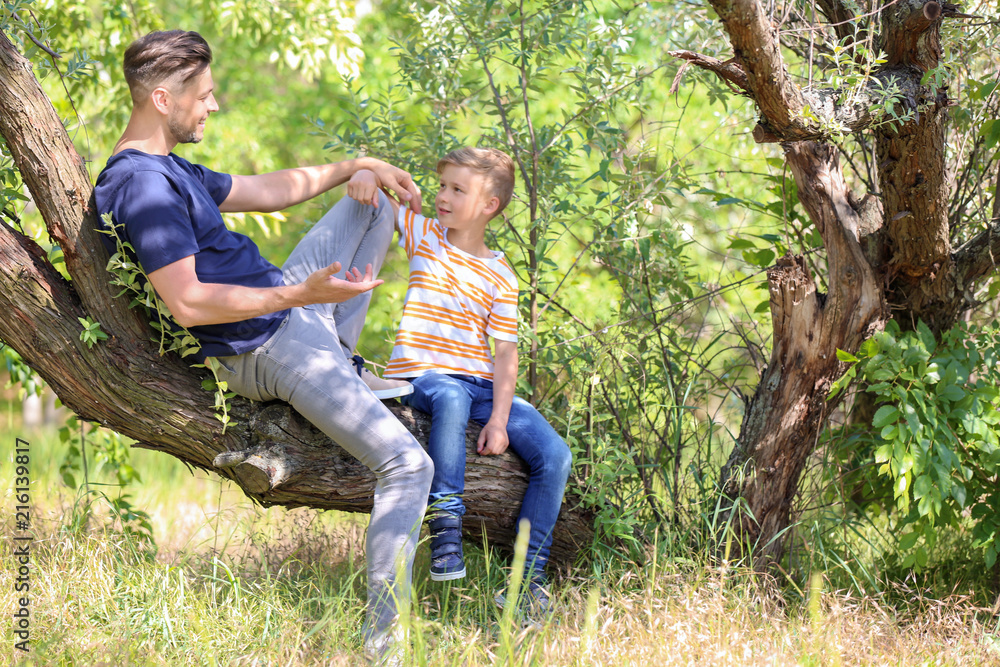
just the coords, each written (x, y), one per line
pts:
(271, 452)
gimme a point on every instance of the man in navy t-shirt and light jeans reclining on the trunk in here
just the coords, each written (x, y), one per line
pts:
(277, 333)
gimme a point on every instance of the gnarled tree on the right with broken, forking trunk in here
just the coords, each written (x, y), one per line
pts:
(906, 238)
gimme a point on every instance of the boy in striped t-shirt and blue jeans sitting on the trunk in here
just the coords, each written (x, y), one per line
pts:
(460, 292)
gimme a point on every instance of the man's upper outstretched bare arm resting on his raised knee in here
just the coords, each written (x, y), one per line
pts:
(278, 190)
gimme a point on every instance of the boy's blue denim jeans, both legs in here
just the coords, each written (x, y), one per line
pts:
(452, 400)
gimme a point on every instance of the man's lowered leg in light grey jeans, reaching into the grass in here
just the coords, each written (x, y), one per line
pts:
(304, 365)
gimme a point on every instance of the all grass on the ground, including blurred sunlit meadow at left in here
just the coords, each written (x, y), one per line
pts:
(229, 583)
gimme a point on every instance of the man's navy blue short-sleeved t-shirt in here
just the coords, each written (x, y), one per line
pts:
(170, 210)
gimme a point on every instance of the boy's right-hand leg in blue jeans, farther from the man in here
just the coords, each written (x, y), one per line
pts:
(549, 459)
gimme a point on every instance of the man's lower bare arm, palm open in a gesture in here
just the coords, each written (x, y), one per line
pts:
(193, 303)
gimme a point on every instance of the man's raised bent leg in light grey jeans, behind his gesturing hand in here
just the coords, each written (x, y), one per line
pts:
(355, 235)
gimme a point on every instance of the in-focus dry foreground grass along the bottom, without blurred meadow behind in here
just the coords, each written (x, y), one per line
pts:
(95, 601)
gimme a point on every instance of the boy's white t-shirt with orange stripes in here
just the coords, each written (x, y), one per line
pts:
(454, 301)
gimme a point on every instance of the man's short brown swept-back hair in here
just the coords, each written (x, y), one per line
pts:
(157, 57)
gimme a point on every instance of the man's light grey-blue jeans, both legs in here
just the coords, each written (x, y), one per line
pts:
(307, 363)
